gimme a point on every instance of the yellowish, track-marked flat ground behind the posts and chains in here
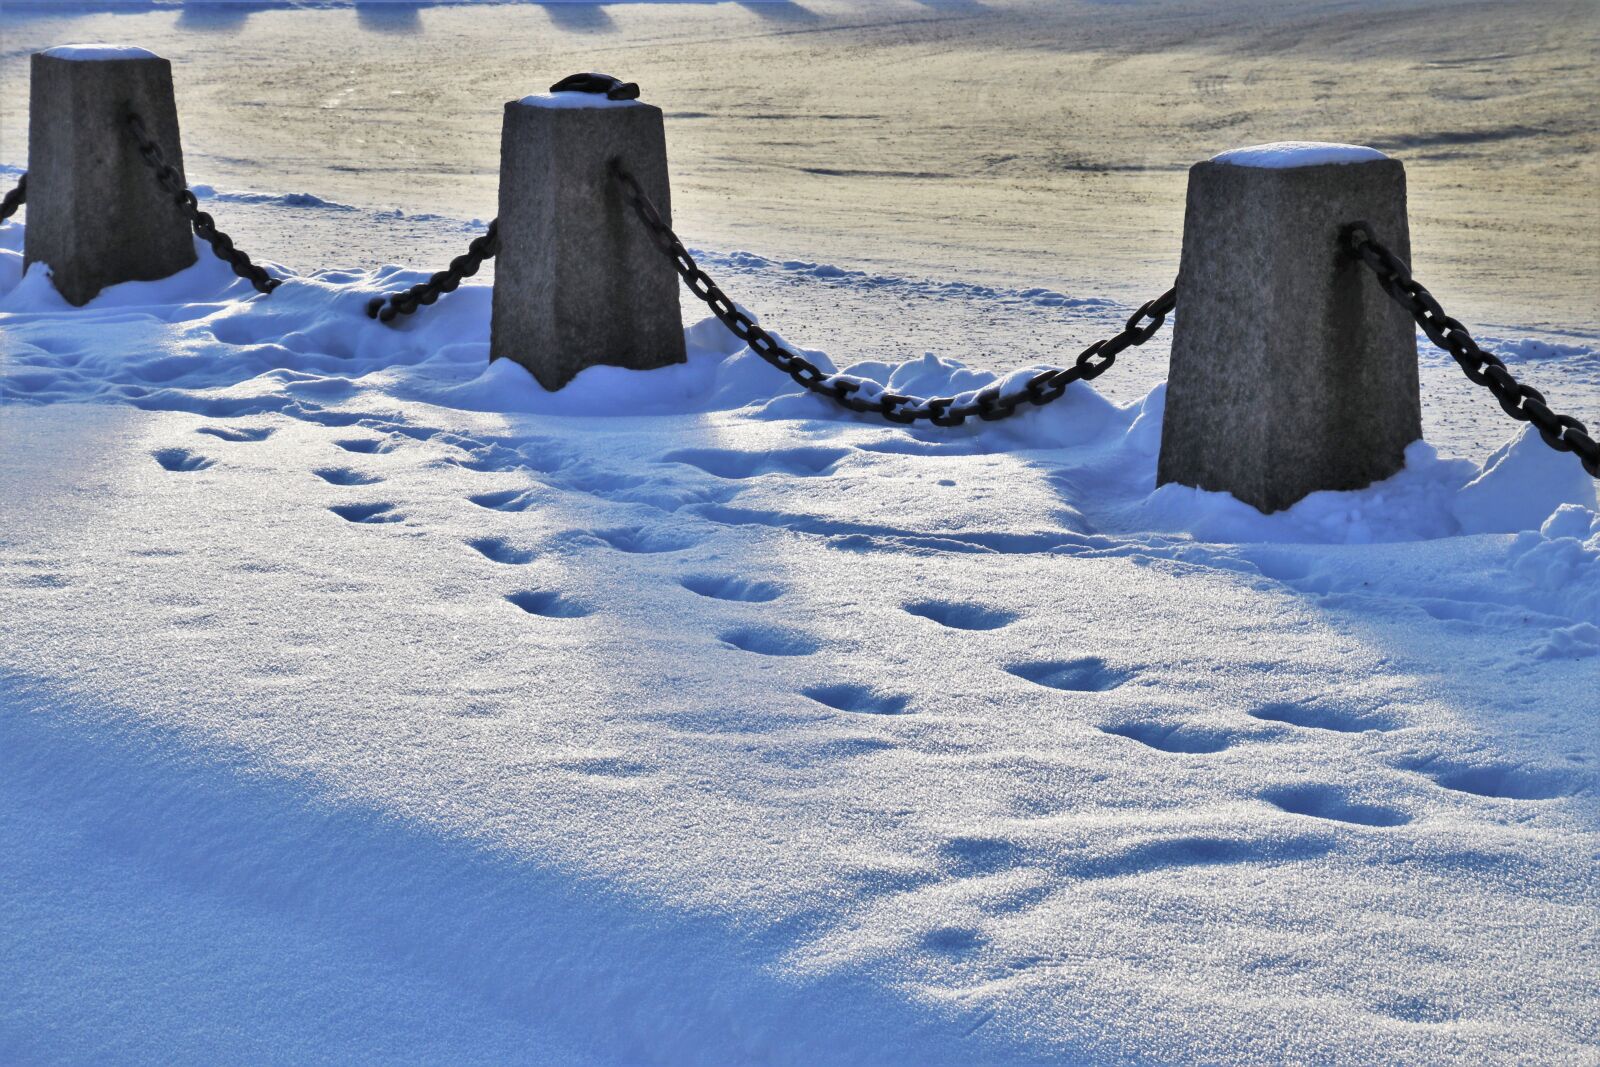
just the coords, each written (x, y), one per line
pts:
(1015, 142)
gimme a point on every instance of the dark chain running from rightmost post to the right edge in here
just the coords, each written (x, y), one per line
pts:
(1521, 402)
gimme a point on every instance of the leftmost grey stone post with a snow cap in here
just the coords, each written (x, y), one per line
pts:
(95, 212)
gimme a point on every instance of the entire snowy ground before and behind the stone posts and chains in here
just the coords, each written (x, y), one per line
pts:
(362, 703)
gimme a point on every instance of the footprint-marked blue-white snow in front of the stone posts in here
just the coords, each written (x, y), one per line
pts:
(362, 701)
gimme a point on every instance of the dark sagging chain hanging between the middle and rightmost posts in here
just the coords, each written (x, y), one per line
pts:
(857, 394)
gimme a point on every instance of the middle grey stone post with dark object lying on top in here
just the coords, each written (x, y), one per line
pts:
(577, 279)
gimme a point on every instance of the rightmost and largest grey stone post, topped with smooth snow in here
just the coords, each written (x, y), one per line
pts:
(1292, 370)
